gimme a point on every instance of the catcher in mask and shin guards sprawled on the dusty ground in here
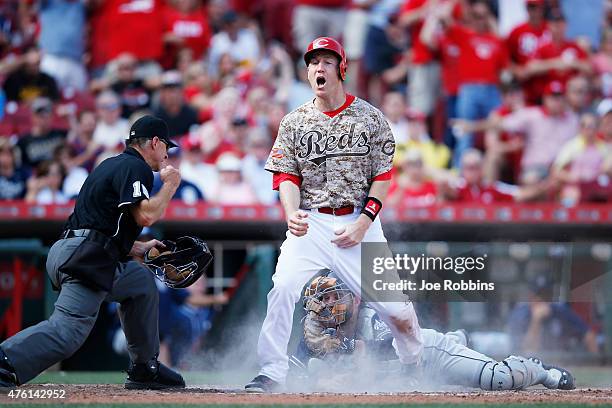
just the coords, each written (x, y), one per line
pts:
(342, 334)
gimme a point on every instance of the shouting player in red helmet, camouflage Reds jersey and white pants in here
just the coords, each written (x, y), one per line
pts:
(331, 162)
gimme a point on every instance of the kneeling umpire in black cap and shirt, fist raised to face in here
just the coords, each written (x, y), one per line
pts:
(88, 264)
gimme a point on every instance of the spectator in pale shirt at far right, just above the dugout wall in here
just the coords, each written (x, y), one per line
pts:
(580, 161)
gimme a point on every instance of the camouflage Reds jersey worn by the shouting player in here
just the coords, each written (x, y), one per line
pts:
(337, 157)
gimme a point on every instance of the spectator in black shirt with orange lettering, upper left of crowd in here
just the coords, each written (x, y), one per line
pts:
(28, 82)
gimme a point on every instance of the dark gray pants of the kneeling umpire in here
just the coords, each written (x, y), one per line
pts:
(38, 347)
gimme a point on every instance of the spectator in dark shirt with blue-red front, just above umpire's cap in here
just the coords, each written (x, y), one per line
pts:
(134, 92)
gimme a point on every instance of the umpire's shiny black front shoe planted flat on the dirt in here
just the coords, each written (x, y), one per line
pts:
(152, 375)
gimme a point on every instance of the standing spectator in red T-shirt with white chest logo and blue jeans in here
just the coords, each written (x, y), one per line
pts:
(483, 57)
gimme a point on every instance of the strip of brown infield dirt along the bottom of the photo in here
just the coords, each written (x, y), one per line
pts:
(97, 394)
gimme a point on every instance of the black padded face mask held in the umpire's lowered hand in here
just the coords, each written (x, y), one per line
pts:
(181, 263)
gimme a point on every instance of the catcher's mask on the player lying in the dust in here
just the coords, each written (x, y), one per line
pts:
(329, 298)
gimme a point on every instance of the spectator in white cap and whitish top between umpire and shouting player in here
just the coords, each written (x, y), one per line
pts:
(232, 189)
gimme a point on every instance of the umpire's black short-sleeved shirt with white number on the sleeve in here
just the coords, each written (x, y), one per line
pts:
(104, 200)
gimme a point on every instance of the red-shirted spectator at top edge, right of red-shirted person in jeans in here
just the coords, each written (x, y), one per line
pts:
(524, 41)
